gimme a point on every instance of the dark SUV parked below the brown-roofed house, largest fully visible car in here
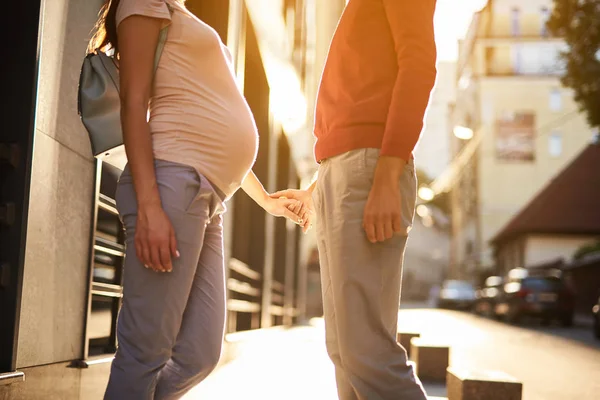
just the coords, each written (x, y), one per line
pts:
(544, 295)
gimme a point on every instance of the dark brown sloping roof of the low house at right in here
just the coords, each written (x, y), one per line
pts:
(569, 204)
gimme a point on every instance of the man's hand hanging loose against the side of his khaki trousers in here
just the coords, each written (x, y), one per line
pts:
(382, 215)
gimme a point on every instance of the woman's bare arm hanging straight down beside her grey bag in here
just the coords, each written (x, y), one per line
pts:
(154, 238)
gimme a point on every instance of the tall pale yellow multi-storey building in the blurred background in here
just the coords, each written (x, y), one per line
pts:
(526, 126)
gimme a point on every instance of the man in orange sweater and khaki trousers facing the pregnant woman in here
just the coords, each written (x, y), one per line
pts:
(370, 109)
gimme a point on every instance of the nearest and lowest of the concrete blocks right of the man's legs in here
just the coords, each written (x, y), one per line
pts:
(488, 385)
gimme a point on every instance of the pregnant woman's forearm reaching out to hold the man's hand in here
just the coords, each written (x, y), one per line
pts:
(279, 207)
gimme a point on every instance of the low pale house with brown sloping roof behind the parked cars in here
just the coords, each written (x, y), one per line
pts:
(560, 220)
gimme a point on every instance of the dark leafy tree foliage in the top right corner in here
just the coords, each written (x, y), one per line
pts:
(578, 22)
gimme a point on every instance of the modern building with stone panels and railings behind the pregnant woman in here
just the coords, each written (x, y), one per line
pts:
(61, 244)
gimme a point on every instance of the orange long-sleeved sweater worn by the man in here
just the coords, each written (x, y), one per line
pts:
(377, 79)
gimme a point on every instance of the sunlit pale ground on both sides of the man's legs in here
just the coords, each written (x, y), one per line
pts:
(553, 363)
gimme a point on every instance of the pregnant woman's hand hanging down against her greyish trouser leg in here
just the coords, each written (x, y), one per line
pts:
(155, 241)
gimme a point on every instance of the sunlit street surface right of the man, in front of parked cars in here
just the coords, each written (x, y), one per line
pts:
(554, 363)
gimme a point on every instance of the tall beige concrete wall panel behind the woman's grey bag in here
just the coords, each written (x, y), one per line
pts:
(57, 256)
